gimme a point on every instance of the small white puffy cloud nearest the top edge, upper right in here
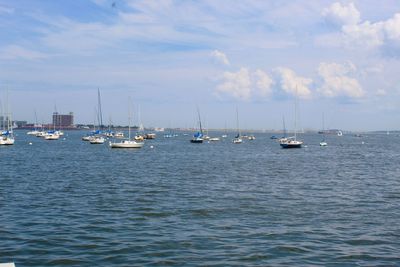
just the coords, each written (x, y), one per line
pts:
(342, 14)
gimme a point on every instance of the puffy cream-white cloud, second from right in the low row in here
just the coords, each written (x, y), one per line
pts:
(293, 84)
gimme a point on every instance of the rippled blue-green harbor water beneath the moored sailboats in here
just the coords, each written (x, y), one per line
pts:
(69, 203)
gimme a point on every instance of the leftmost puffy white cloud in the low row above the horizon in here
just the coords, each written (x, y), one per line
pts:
(237, 84)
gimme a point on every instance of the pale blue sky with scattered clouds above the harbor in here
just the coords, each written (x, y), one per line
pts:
(338, 60)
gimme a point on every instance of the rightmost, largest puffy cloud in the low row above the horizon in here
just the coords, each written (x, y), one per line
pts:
(336, 80)
